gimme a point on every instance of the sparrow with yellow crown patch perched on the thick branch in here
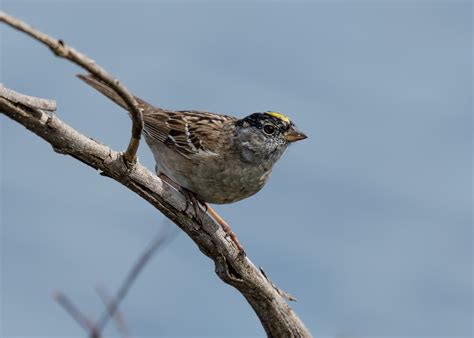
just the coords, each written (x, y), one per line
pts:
(215, 158)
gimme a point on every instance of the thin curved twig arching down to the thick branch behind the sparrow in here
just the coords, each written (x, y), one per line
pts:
(60, 49)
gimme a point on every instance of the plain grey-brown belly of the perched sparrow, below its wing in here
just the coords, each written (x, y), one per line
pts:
(212, 179)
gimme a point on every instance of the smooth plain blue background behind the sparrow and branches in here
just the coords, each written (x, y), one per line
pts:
(368, 222)
